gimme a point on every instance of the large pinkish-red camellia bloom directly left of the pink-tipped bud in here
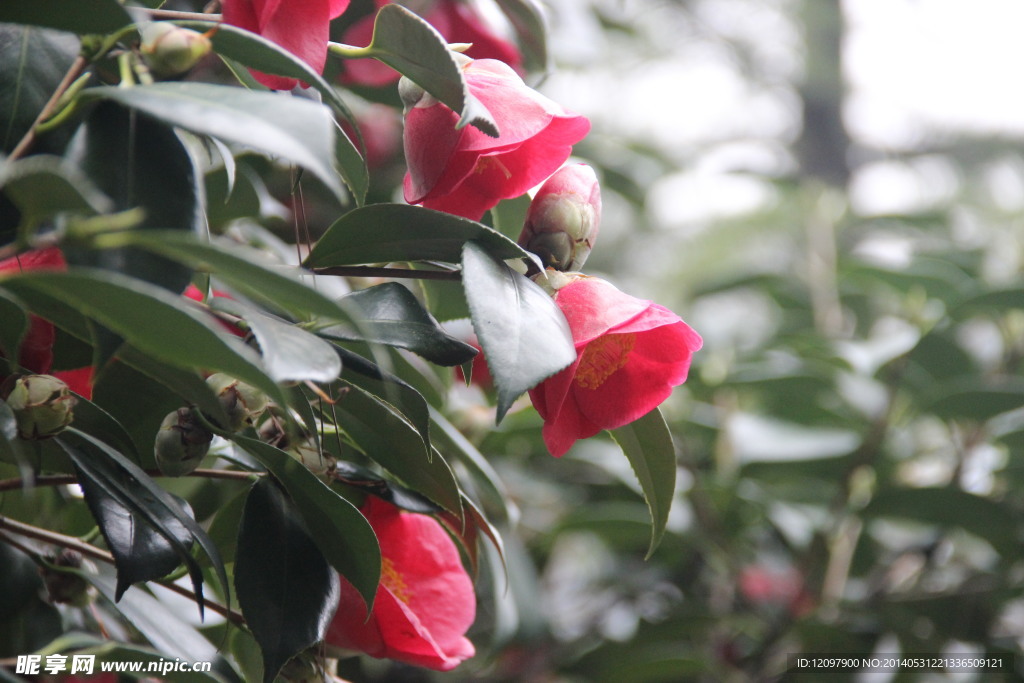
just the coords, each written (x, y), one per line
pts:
(466, 173)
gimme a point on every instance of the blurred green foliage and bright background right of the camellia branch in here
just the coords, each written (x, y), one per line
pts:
(831, 194)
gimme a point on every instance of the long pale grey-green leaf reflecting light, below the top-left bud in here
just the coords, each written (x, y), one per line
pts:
(297, 131)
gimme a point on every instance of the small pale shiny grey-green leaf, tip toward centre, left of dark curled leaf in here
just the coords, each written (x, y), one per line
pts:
(290, 354)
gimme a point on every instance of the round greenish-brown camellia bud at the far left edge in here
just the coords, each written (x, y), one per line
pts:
(44, 406)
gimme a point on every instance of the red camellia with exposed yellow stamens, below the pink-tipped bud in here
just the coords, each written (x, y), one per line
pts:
(630, 355)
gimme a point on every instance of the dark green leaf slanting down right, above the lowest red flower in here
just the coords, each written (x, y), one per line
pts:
(391, 441)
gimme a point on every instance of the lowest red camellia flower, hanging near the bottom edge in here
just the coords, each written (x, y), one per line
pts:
(424, 604)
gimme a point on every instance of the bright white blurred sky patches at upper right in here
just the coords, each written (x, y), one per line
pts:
(917, 70)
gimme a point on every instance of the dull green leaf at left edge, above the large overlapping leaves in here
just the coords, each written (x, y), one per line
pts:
(42, 187)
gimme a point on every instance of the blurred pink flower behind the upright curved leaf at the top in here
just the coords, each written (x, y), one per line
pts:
(456, 22)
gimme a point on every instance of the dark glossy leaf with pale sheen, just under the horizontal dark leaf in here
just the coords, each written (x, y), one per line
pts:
(391, 315)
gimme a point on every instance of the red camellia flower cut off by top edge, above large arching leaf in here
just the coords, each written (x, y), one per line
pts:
(302, 27)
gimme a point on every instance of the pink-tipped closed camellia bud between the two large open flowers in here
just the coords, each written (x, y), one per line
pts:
(564, 219)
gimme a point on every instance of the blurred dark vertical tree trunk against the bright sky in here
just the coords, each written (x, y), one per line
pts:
(824, 143)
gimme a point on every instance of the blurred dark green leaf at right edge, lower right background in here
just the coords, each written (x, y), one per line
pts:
(986, 519)
